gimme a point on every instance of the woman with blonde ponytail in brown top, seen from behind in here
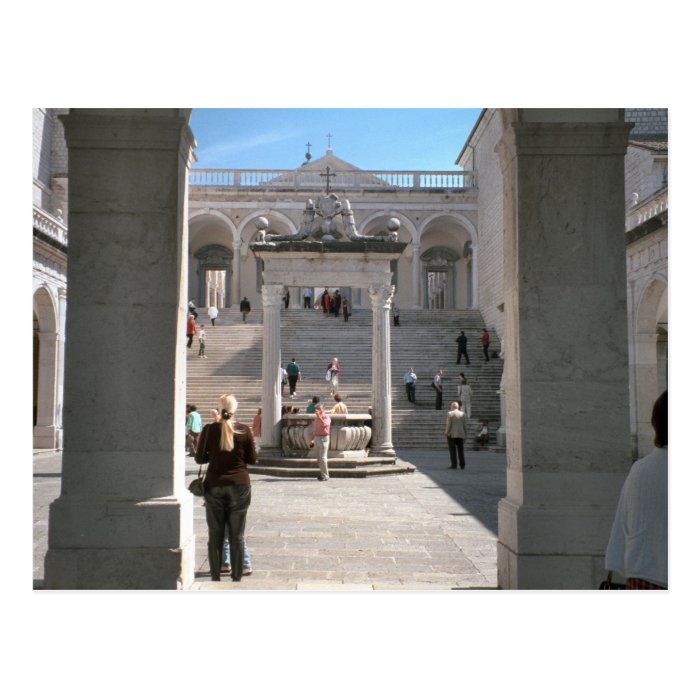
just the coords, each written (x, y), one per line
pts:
(228, 447)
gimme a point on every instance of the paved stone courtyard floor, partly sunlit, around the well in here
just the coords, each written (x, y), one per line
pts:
(435, 528)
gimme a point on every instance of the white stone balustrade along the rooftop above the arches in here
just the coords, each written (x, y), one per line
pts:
(344, 180)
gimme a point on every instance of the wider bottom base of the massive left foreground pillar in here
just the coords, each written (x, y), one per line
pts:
(94, 548)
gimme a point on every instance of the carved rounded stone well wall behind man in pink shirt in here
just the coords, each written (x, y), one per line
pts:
(350, 437)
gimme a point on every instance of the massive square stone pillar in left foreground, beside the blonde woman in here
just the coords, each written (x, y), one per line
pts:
(124, 517)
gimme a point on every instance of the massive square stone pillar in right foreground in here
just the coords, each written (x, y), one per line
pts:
(566, 382)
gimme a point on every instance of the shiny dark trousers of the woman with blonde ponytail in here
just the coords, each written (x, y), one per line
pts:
(227, 507)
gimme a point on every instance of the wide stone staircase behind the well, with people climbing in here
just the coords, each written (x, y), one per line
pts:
(425, 340)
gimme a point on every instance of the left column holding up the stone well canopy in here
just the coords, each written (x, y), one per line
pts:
(272, 391)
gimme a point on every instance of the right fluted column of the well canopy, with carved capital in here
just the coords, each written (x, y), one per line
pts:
(380, 295)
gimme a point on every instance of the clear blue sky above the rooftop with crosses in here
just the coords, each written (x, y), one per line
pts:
(371, 139)
